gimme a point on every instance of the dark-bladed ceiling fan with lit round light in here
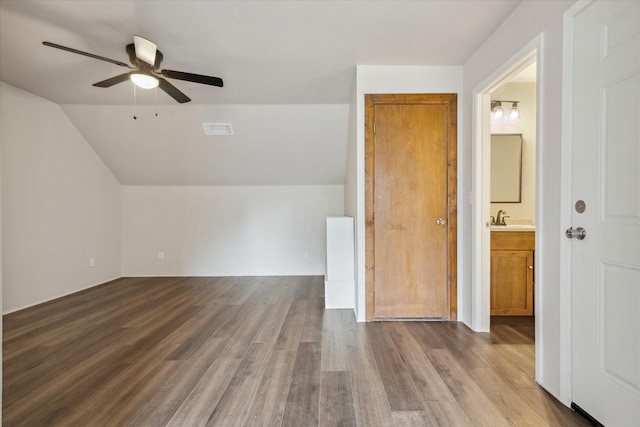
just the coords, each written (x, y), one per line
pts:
(146, 60)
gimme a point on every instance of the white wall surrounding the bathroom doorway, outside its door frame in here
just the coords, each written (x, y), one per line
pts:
(529, 20)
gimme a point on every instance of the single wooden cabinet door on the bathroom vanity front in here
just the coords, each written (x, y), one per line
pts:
(512, 283)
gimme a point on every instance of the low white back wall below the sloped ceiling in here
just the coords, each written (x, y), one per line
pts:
(226, 230)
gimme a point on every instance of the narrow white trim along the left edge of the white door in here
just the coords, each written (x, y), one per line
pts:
(566, 175)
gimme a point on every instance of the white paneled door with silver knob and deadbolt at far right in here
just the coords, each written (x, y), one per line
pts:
(606, 176)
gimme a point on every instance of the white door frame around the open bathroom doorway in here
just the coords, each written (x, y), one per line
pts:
(481, 160)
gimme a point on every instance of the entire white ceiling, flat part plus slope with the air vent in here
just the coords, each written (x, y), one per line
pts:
(286, 65)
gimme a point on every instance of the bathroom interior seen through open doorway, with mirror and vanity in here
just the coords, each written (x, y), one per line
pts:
(513, 200)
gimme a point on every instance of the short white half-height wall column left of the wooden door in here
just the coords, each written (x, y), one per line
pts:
(339, 285)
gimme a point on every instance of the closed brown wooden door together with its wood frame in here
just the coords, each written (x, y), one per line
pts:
(410, 174)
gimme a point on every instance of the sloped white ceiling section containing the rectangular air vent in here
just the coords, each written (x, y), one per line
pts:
(271, 144)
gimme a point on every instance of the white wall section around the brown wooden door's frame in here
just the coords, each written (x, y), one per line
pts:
(391, 79)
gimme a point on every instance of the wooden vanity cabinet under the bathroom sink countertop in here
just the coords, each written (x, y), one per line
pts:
(512, 273)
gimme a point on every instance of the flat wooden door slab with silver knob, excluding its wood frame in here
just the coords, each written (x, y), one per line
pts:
(410, 194)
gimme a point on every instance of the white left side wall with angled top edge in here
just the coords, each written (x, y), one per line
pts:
(61, 205)
